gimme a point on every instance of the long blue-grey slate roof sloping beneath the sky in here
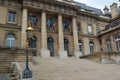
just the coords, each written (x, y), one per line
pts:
(88, 8)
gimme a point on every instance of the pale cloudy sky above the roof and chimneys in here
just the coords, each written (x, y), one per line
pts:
(99, 3)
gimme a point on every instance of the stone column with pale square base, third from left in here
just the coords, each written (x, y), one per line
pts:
(61, 53)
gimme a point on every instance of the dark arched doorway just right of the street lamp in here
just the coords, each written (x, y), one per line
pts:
(33, 44)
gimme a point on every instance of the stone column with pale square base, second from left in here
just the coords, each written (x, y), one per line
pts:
(44, 52)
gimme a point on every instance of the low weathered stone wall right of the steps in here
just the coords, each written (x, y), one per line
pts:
(104, 57)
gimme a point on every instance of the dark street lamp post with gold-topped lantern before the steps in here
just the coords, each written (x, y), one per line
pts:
(27, 73)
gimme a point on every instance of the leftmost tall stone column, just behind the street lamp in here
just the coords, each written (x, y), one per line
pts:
(24, 27)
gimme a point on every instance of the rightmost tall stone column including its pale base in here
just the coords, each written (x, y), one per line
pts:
(77, 53)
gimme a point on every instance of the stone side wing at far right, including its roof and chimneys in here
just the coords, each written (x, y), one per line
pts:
(110, 36)
